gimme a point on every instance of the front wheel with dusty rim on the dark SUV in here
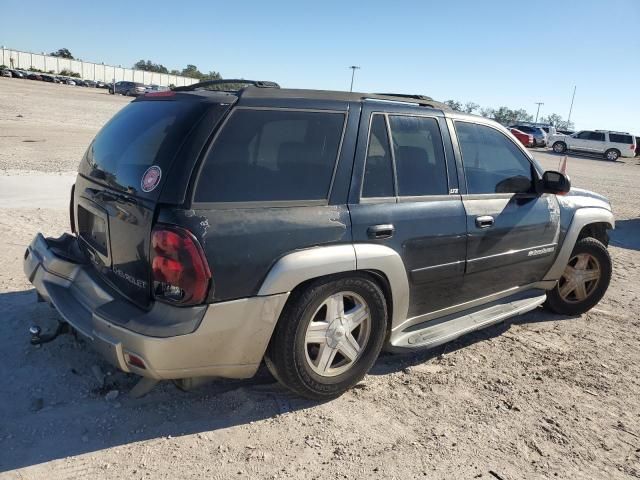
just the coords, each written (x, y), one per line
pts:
(566, 301)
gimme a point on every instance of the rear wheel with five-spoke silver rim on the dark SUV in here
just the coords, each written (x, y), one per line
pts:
(310, 368)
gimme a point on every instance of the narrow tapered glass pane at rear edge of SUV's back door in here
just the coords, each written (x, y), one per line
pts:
(378, 174)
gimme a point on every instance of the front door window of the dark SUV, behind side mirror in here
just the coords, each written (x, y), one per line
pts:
(492, 162)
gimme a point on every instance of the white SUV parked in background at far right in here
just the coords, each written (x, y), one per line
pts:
(611, 145)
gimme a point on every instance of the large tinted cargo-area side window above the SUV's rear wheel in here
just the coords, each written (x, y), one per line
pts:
(272, 155)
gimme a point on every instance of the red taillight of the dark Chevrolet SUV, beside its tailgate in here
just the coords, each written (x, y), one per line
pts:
(180, 271)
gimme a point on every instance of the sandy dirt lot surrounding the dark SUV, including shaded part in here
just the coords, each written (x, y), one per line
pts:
(538, 396)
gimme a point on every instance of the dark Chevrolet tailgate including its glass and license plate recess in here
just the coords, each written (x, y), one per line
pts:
(119, 184)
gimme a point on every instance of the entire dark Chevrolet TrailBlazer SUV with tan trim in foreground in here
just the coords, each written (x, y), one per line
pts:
(299, 227)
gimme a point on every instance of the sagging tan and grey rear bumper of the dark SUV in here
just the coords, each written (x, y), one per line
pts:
(226, 339)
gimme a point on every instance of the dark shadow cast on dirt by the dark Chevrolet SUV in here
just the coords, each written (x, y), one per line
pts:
(53, 405)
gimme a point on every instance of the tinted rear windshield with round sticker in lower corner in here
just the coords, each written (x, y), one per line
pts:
(140, 135)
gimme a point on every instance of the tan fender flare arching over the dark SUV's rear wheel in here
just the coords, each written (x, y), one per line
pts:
(297, 267)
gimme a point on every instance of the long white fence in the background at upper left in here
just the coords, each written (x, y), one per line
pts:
(98, 72)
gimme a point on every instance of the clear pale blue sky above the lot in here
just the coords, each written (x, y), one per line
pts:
(491, 52)
